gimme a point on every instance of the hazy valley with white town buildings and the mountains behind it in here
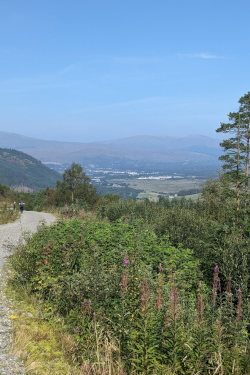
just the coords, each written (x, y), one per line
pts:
(135, 167)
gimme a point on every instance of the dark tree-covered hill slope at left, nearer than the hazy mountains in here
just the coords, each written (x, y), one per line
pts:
(22, 171)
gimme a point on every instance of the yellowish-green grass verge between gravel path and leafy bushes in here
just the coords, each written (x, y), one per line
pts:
(39, 343)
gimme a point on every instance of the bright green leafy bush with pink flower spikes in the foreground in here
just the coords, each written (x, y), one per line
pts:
(120, 277)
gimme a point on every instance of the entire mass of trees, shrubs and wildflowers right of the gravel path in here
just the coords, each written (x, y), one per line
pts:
(146, 287)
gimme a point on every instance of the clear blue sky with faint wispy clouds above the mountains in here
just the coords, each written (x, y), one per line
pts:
(85, 70)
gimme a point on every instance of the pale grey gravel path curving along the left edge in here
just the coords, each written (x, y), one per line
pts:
(10, 235)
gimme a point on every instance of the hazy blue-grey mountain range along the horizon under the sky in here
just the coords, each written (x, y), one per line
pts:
(121, 153)
